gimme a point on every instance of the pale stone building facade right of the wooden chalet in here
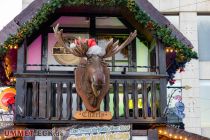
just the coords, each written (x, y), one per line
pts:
(192, 18)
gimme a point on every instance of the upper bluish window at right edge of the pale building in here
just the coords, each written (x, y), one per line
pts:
(204, 38)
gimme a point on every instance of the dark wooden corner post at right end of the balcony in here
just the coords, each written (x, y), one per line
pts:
(163, 82)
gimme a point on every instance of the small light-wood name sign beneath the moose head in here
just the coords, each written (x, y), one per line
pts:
(87, 115)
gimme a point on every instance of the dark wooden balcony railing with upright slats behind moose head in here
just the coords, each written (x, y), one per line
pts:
(52, 98)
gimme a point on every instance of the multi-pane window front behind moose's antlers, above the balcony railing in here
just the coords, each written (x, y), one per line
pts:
(136, 57)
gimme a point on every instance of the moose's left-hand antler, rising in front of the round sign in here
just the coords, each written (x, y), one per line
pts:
(80, 49)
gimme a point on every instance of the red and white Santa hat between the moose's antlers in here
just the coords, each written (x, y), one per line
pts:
(93, 48)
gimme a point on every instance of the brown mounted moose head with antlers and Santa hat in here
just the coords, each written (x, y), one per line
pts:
(92, 74)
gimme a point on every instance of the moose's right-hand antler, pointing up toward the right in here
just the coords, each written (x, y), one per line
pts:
(113, 48)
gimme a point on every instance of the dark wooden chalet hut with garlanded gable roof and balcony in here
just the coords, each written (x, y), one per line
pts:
(44, 72)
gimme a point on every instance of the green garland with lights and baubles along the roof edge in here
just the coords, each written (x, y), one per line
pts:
(183, 53)
